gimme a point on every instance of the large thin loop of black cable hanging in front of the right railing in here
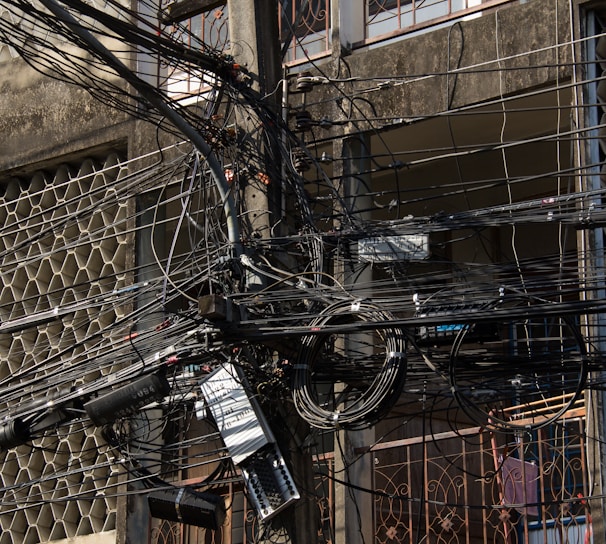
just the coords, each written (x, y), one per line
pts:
(528, 375)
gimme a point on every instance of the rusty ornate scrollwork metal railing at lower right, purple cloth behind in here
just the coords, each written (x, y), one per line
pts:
(473, 486)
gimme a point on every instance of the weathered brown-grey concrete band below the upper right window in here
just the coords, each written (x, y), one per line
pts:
(509, 49)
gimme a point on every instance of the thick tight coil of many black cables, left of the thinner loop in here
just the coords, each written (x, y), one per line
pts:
(336, 385)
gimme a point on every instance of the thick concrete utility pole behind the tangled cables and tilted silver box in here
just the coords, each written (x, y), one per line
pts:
(255, 45)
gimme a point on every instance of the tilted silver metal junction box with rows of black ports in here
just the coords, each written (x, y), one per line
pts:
(249, 440)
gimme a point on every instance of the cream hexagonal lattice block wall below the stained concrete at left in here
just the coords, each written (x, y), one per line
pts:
(62, 241)
